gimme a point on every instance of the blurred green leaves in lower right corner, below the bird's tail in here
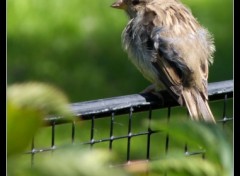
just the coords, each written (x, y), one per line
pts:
(206, 137)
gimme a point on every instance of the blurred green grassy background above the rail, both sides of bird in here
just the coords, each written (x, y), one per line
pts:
(76, 45)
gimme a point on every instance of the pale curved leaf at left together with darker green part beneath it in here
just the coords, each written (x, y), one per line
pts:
(28, 104)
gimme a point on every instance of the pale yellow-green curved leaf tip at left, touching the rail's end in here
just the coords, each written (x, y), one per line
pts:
(41, 97)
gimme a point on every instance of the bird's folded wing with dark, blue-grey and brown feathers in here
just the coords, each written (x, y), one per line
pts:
(172, 70)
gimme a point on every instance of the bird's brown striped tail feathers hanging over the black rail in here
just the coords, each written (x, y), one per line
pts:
(197, 105)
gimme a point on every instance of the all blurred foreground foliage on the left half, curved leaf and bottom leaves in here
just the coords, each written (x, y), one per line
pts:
(28, 105)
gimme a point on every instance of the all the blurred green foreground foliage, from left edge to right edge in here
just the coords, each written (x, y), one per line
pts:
(29, 103)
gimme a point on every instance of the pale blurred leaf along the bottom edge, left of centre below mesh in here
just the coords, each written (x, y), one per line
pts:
(70, 161)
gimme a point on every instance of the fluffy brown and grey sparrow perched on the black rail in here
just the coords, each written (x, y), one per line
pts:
(171, 49)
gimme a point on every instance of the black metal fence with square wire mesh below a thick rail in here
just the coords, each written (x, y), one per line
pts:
(122, 120)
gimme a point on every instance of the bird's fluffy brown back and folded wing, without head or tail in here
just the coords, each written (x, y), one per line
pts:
(175, 35)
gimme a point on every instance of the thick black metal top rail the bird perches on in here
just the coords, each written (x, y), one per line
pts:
(140, 102)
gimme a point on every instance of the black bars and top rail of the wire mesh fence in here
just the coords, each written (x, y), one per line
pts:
(129, 105)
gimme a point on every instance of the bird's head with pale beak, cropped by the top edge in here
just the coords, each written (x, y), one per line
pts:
(130, 6)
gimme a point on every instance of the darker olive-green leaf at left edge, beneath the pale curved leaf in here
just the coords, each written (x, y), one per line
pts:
(22, 124)
